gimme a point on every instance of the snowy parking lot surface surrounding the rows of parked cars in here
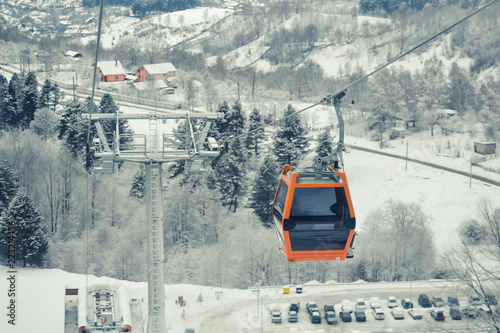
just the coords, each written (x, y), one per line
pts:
(258, 318)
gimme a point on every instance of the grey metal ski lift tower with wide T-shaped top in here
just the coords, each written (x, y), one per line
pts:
(152, 149)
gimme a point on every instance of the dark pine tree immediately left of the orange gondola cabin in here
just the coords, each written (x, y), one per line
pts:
(264, 189)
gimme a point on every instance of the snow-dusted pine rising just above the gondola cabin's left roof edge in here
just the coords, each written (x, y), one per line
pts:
(290, 141)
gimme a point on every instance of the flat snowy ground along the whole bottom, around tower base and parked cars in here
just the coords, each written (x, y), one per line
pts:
(227, 310)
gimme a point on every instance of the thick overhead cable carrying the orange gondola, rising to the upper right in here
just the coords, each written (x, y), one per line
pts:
(378, 69)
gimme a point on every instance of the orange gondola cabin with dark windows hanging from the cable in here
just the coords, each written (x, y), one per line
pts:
(313, 215)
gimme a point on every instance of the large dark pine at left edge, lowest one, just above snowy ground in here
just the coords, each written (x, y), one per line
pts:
(30, 236)
